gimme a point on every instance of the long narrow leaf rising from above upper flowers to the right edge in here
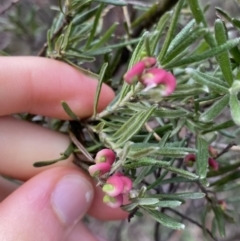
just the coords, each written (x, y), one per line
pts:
(203, 56)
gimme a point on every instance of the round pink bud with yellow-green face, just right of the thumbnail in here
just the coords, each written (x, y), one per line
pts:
(114, 186)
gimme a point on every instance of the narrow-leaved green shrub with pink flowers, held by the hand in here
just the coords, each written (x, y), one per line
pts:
(166, 146)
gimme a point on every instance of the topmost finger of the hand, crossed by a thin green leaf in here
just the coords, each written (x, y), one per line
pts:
(38, 85)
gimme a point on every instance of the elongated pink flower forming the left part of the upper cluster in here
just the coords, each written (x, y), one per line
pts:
(137, 70)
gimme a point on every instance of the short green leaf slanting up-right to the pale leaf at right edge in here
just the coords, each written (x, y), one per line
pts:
(215, 110)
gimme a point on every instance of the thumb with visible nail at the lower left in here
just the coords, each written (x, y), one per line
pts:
(46, 207)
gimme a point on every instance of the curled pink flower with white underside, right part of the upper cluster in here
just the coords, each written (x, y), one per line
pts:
(155, 76)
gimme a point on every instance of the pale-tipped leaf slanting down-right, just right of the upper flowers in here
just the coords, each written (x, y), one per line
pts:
(209, 81)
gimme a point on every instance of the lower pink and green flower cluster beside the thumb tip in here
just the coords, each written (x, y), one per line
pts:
(116, 185)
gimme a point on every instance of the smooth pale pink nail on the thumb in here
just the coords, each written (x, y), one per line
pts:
(71, 198)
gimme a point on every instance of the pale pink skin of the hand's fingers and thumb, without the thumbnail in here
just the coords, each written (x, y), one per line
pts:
(38, 85)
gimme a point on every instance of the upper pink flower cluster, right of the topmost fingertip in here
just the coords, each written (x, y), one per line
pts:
(151, 76)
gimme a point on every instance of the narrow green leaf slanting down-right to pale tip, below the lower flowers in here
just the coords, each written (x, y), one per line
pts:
(165, 220)
